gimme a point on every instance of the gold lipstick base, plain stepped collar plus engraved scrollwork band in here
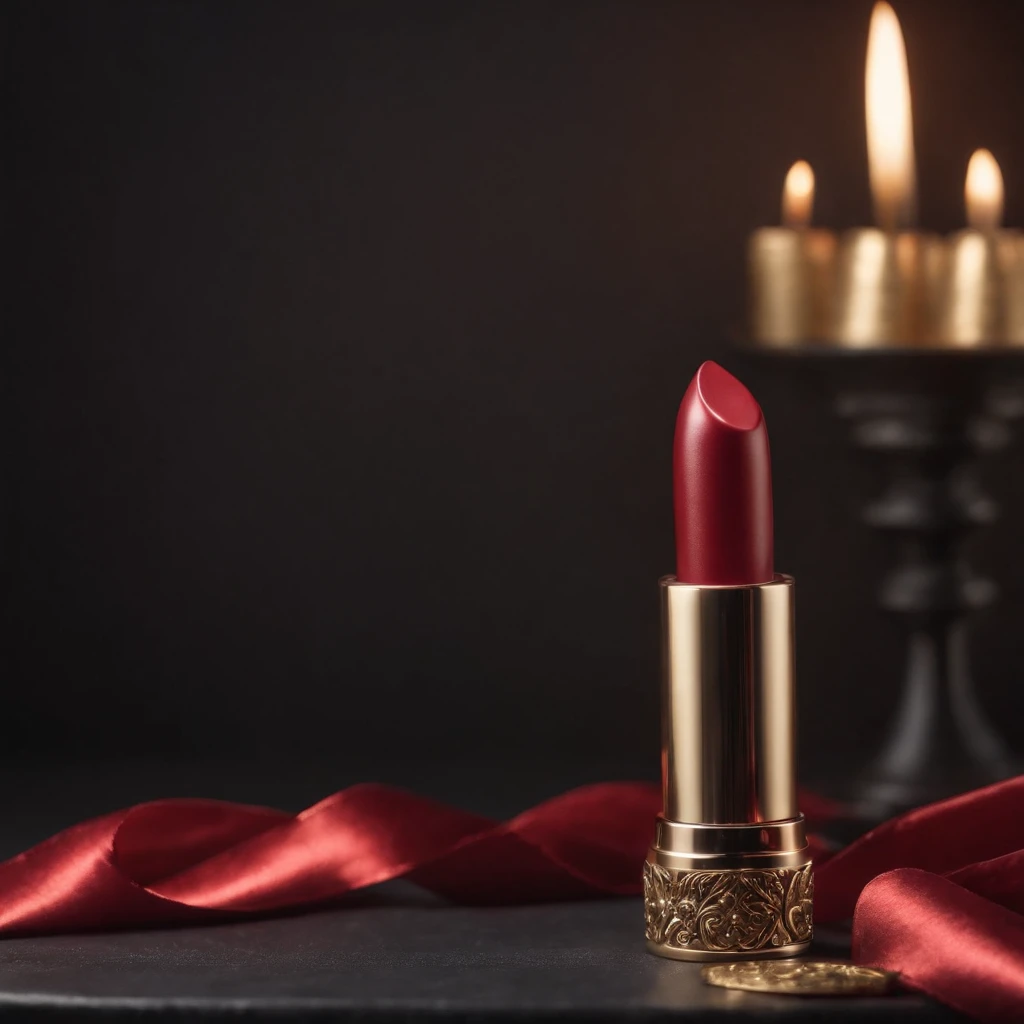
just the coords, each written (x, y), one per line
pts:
(729, 906)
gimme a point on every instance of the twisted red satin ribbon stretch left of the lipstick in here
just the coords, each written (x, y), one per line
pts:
(194, 861)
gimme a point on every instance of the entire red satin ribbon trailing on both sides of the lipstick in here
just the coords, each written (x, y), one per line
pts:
(940, 892)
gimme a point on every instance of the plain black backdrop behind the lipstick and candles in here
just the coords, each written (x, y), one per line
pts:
(346, 349)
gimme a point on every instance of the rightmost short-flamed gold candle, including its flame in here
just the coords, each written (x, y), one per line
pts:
(982, 300)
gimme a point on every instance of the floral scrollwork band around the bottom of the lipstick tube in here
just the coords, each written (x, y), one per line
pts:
(737, 911)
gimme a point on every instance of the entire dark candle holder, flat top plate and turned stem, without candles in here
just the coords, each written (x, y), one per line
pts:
(929, 415)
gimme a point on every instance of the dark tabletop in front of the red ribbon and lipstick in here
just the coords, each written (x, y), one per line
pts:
(579, 962)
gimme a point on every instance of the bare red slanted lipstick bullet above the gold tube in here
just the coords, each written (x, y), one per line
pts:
(722, 484)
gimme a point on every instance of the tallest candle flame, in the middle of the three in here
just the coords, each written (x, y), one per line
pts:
(890, 129)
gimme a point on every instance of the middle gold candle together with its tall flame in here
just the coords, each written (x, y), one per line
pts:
(885, 274)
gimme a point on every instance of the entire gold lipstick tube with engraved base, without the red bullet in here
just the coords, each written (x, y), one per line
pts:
(729, 877)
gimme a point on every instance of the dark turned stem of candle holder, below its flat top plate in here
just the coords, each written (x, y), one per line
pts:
(941, 742)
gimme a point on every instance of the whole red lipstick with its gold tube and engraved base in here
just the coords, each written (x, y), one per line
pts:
(729, 877)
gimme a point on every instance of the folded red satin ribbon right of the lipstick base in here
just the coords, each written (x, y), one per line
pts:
(942, 900)
